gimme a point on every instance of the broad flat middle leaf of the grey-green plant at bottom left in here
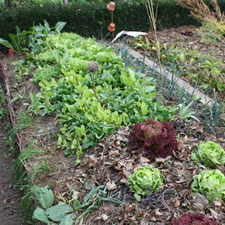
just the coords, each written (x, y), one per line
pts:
(57, 212)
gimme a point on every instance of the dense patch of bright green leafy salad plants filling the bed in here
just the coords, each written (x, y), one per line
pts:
(83, 119)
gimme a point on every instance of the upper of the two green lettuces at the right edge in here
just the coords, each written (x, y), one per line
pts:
(209, 153)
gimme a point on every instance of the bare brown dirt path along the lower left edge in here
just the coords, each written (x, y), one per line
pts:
(9, 197)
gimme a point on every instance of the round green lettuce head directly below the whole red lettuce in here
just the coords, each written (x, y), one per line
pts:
(144, 180)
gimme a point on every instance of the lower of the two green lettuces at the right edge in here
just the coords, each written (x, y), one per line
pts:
(210, 183)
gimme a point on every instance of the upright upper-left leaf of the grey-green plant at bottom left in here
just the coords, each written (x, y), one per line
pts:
(44, 196)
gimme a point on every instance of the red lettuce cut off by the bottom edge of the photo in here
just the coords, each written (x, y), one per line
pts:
(194, 219)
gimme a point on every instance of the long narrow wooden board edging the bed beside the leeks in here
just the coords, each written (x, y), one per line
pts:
(180, 83)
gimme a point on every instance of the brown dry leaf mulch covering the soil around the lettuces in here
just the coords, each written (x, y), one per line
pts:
(110, 163)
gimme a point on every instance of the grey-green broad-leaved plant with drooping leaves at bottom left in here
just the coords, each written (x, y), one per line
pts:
(64, 213)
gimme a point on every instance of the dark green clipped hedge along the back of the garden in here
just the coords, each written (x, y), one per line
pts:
(92, 18)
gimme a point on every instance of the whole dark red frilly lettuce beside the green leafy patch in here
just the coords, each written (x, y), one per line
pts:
(154, 138)
